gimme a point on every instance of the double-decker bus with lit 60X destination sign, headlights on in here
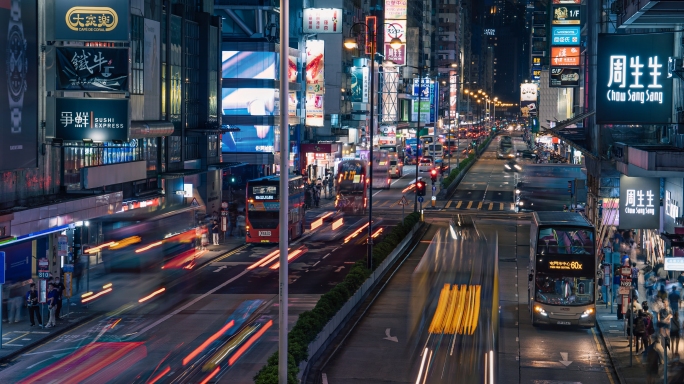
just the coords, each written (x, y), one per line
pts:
(562, 287)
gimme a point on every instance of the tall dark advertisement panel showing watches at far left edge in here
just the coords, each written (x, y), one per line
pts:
(19, 98)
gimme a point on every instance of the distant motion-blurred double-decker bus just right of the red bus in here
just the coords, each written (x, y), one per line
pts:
(351, 187)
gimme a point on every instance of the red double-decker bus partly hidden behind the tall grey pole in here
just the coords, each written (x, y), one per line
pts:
(263, 207)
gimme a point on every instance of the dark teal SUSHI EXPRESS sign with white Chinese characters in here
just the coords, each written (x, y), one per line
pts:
(94, 119)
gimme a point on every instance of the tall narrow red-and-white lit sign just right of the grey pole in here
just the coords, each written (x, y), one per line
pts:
(315, 82)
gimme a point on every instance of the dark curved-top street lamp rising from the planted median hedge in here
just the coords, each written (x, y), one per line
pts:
(350, 43)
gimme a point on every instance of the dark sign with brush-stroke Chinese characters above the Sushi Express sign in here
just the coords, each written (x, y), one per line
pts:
(92, 69)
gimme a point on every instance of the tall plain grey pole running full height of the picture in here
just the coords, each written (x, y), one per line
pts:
(284, 192)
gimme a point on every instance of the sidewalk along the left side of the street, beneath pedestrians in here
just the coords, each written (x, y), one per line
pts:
(19, 337)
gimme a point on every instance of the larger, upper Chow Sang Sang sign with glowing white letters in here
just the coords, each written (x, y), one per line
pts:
(632, 85)
